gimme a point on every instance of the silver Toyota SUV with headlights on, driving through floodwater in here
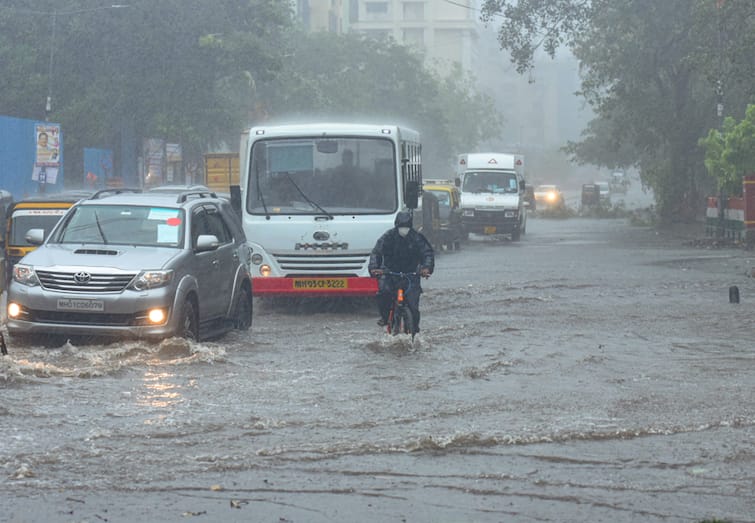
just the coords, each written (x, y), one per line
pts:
(134, 264)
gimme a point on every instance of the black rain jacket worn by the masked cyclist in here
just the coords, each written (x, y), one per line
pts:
(402, 254)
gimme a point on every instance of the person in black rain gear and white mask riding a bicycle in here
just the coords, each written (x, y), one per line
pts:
(401, 249)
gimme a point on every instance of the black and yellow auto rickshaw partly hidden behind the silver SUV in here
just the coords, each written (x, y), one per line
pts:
(41, 212)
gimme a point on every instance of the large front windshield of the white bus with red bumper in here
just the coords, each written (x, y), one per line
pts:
(322, 176)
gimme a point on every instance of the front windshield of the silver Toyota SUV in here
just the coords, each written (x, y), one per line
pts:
(123, 225)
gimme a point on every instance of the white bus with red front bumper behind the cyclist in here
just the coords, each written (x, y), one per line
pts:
(315, 199)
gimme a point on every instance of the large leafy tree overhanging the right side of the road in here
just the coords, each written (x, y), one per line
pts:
(653, 73)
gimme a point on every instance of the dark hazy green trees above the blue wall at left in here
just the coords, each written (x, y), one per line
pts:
(167, 69)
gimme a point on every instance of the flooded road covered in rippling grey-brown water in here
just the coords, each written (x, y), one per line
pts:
(594, 371)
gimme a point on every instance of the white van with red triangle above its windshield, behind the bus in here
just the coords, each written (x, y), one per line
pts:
(492, 194)
